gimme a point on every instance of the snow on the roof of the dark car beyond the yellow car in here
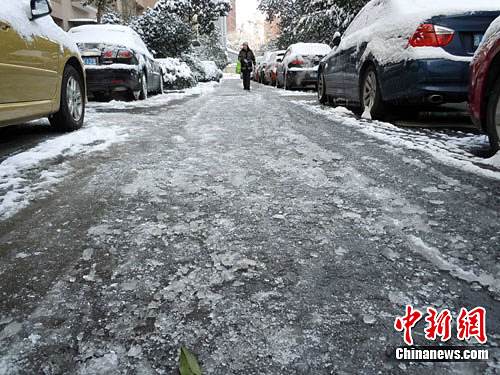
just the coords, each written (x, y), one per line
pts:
(109, 34)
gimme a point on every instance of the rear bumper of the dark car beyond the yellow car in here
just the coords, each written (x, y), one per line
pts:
(109, 81)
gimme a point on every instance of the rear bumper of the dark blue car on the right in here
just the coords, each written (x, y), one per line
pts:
(426, 81)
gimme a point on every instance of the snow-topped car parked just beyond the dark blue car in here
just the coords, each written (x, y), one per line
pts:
(299, 68)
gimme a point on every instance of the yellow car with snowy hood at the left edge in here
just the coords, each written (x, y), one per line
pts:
(41, 71)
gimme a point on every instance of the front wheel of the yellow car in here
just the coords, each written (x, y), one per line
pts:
(72, 110)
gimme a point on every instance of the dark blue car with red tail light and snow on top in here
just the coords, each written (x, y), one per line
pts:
(405, 53)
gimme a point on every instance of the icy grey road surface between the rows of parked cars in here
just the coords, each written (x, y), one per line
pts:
(265, 233)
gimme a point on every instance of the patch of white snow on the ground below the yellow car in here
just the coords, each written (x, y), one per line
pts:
(29, 174)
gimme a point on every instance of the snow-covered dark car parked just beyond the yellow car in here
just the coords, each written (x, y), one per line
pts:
(117, 62)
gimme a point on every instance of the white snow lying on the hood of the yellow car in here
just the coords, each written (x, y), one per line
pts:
(18, 15)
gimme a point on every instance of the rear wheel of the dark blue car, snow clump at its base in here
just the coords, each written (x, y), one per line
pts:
(372, 104)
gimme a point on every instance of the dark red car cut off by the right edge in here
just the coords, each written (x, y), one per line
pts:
(485, 85)
